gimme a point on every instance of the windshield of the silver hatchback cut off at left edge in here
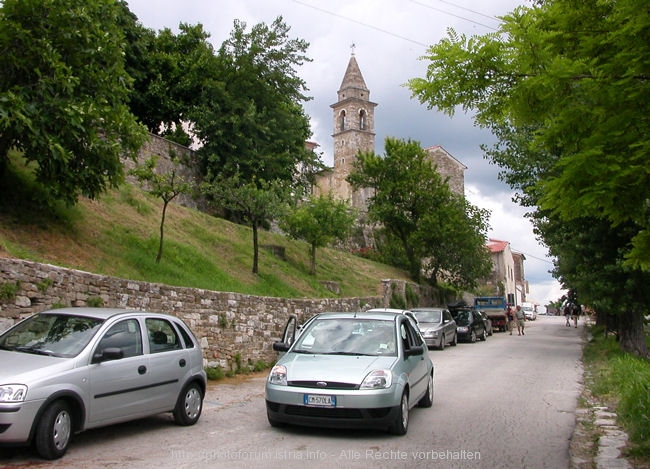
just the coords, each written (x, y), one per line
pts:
(59, 335)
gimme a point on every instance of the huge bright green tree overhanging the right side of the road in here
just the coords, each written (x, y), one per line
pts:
(564, 87)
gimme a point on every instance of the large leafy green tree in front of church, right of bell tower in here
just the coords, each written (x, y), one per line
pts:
(438, 230)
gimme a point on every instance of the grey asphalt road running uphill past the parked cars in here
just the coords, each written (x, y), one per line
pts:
(508, 402)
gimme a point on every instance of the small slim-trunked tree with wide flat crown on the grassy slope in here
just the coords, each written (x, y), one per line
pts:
(257, 201)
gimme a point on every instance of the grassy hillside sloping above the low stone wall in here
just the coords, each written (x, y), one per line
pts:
(118, 235)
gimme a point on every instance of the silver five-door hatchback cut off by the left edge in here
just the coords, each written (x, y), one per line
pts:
(72, 369)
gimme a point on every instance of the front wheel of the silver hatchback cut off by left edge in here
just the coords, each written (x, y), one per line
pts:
(54, 431)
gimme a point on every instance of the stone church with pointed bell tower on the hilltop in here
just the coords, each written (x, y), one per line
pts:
(353, 131)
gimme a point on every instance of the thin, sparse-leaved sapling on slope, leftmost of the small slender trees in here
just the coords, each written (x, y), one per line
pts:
(166, 185)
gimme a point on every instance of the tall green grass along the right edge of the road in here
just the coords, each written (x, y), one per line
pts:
(622, 381)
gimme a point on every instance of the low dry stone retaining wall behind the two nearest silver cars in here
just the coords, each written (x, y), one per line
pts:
(232, 328)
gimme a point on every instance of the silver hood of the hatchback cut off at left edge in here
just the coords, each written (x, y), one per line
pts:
(21, 367)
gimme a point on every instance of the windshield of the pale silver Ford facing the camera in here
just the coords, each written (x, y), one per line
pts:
(348, 337)
